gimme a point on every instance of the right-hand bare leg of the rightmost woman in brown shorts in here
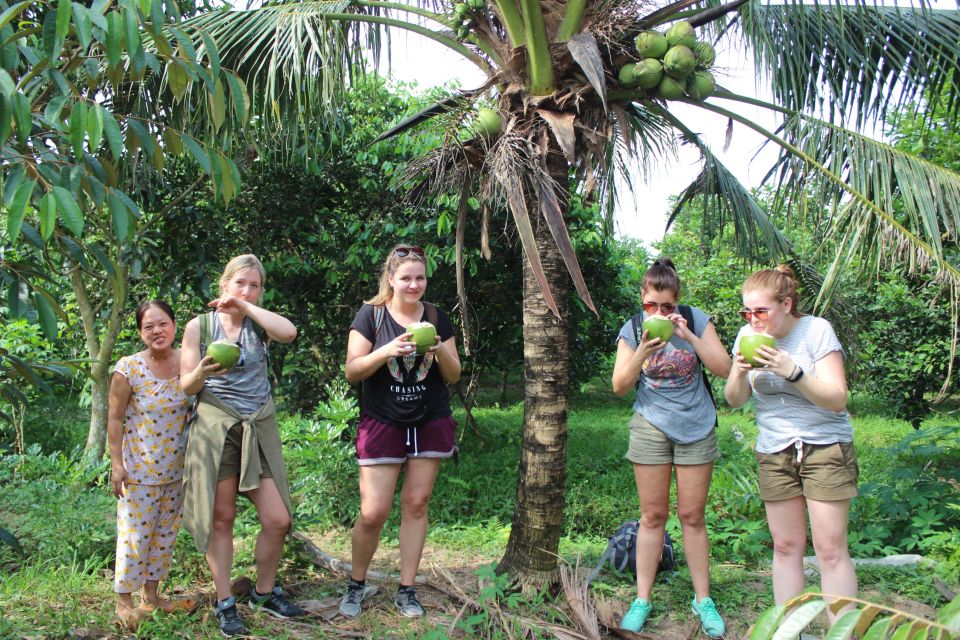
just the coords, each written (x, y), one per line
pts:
(828, 524)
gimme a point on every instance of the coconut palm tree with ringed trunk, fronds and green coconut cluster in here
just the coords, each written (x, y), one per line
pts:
(570, 117)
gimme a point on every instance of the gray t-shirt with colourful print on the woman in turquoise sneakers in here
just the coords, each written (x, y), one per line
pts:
(671, 394)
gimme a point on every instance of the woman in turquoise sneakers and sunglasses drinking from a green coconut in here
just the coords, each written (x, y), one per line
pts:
(672, 431)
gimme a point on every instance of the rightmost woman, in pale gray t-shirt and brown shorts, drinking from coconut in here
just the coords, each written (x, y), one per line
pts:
(805, 451)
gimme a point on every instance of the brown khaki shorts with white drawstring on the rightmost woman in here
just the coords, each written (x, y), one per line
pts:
(824, 472)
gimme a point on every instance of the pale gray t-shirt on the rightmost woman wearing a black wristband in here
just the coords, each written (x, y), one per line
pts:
(784, 416)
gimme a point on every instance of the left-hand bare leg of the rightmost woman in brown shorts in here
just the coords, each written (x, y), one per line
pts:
(788, 526)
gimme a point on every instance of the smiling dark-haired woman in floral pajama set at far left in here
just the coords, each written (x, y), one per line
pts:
(146, 433)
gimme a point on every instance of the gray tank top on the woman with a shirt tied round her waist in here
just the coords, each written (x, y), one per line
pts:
(246, 387)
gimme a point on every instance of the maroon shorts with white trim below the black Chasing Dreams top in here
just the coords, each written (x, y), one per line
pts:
(382, 443)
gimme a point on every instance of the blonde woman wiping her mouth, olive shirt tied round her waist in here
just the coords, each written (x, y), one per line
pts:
(234, 446)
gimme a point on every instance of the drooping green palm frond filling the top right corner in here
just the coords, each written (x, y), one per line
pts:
(855, 59)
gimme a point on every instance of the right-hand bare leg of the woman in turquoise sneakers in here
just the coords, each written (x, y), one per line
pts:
(693, 482)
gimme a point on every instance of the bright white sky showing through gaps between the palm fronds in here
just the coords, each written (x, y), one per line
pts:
(642, 215)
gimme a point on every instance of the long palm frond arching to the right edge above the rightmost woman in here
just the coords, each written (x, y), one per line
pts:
(886, 206)
